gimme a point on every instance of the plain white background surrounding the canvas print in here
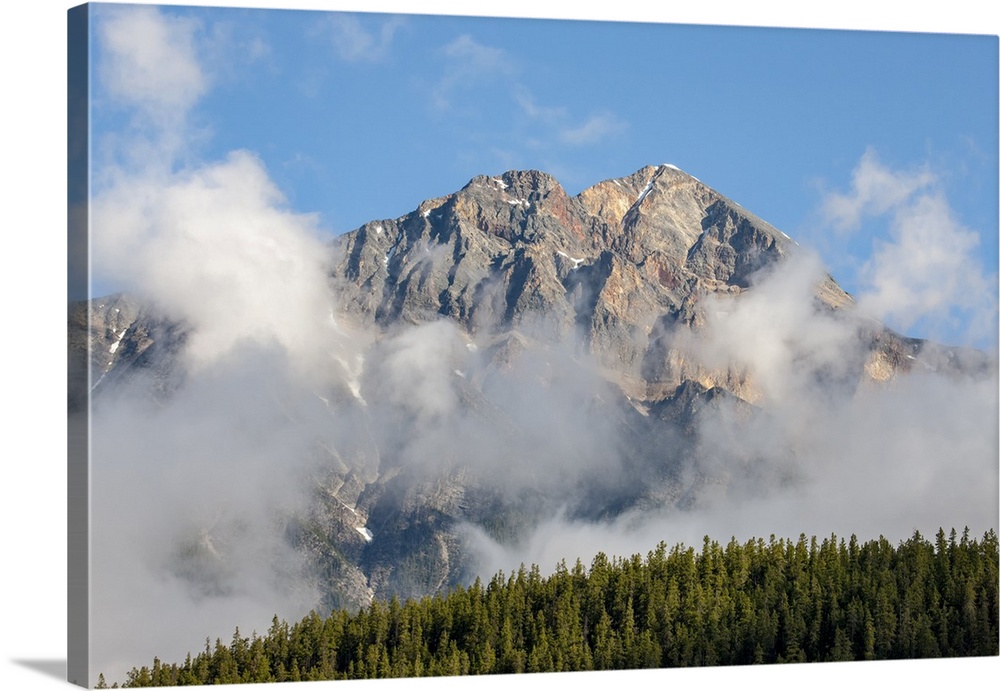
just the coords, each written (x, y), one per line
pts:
(33, 255)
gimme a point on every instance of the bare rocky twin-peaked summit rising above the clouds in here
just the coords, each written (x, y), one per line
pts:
(618, 265)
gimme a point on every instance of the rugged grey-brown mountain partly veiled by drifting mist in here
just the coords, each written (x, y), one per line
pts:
(527, 353)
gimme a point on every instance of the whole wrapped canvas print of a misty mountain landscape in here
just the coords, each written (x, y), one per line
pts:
(415, 345)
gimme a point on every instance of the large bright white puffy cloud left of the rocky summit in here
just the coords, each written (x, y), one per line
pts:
(214, 248)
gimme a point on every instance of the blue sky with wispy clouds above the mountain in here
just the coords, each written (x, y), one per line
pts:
(359, 116)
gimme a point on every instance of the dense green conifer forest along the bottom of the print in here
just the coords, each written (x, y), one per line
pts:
(758, 602)
